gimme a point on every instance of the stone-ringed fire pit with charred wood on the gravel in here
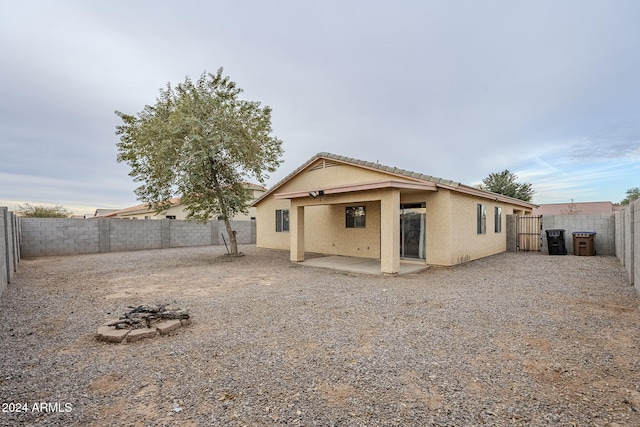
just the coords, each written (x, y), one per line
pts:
(143, 321)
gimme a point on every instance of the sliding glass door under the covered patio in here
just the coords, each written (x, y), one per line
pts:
(412, 230)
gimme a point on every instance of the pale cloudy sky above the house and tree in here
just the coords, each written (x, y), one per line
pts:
(549, 90)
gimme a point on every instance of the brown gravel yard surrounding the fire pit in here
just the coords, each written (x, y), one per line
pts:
(514, 339)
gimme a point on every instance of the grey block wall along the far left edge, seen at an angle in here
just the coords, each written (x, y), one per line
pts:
(9, 247)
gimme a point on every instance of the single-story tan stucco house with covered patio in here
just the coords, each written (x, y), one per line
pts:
(342, 206)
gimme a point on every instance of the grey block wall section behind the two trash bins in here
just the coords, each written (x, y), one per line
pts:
(602, 224)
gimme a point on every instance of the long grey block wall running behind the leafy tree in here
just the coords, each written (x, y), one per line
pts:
(67, 236)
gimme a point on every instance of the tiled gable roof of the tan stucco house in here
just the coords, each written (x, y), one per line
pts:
(402, 173)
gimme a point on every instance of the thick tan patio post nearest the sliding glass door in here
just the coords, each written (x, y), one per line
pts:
(390, 232)
